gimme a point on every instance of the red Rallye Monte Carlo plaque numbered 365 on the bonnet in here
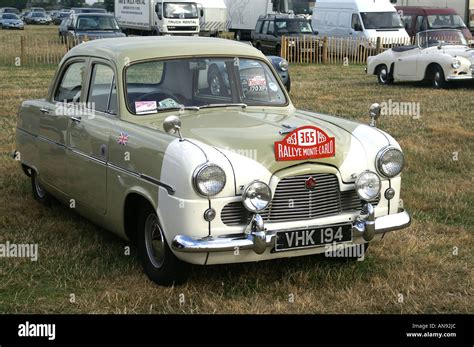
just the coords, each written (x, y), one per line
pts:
(304, 143)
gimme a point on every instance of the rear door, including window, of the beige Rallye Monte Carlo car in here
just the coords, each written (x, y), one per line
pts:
(54, 115)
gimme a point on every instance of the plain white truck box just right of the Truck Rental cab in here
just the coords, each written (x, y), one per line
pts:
(214, 17)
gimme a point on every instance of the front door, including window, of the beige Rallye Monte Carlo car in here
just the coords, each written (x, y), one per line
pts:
(89, 136)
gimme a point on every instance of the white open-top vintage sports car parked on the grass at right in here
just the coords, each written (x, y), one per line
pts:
(440, 56)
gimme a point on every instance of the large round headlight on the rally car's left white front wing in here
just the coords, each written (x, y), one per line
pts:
(209, 179)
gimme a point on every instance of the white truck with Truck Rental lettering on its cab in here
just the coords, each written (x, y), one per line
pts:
(158, 17)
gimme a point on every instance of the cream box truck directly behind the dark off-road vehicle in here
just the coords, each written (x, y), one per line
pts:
(244, 14)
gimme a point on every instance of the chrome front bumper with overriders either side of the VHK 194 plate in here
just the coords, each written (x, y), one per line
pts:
(259, 240)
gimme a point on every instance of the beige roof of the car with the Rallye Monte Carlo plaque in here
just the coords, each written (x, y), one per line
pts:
(131, 49)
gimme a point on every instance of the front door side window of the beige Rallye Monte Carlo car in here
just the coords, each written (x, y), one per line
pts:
(102, 93)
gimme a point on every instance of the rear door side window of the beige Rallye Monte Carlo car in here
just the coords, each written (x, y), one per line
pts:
(70, 87)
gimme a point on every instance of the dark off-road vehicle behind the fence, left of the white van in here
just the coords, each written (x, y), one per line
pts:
(270, 29)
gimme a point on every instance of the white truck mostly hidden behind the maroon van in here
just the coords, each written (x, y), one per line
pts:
(465, 8)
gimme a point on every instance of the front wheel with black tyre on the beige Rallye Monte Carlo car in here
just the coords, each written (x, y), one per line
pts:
(159, 263)
